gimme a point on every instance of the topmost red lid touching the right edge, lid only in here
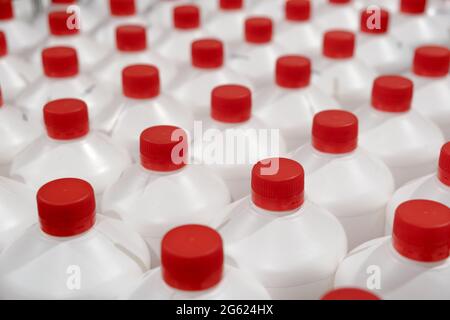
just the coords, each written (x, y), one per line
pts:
(431, 61)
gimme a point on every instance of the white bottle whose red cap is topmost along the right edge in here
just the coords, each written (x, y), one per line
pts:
(432, 82)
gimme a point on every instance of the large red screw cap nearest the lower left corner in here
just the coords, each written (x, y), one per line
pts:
(66, 207)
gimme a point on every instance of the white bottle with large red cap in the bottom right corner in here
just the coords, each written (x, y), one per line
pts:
(412, 264)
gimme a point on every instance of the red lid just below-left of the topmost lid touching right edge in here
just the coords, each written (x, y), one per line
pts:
(392, 93)
